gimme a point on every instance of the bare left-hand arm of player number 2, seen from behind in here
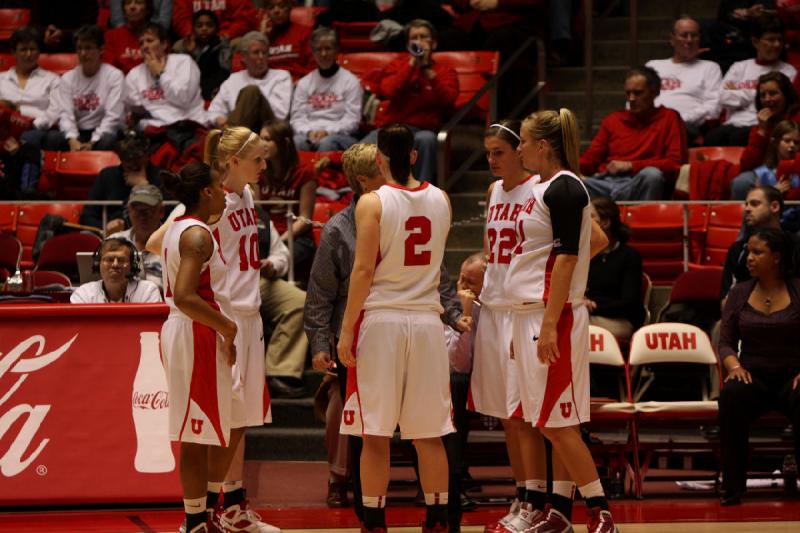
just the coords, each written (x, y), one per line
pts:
(368, 220)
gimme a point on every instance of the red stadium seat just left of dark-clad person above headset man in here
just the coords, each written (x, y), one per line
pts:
(76, 171)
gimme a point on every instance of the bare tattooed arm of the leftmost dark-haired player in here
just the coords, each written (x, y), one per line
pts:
(196, 246)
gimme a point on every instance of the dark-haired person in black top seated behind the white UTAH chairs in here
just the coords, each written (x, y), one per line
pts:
(614, 289)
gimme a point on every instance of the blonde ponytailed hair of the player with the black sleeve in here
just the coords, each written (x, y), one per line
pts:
(560, 130)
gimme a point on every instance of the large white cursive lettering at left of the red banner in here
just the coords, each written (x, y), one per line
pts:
(19, 456)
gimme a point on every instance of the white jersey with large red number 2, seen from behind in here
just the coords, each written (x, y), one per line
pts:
(413, 232)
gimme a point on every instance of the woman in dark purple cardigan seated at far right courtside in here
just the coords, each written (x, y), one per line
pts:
(758, 343)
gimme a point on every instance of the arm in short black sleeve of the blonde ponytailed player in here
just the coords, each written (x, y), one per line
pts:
(565, 199)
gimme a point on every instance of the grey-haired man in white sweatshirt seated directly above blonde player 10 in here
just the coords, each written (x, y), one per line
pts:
(275, 85)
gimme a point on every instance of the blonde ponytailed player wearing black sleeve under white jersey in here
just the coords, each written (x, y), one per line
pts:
(546, 281)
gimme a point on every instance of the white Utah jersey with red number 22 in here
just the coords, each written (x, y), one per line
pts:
(501, 235)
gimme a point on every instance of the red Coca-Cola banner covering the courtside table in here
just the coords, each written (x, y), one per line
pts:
(83, 406)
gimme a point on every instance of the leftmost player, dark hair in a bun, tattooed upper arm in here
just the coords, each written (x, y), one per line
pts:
(197, 339)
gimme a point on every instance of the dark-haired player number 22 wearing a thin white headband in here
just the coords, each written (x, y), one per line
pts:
(494, 388)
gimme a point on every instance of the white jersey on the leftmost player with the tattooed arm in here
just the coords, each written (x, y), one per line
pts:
(213, 284)
